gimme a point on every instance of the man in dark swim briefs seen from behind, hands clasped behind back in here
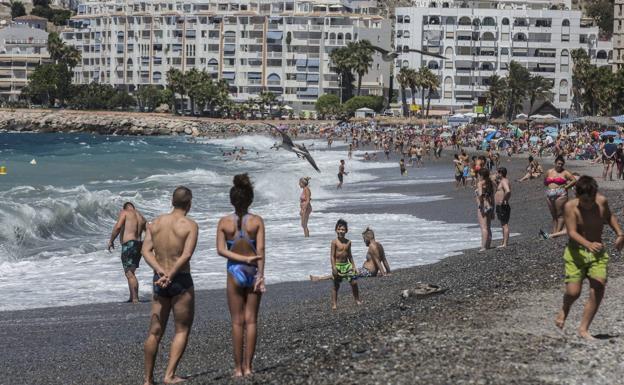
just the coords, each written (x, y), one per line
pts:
(169, 244)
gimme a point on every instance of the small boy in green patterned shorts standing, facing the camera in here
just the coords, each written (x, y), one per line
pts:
(343, 267)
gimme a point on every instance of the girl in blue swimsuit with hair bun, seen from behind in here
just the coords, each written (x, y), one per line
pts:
(240, 239)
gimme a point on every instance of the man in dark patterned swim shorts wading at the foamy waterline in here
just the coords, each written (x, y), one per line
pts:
(130, 226)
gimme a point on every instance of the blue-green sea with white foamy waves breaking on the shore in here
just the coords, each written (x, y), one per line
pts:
(62, 194)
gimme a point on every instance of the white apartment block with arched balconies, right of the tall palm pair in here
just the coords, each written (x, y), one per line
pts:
(481, 38)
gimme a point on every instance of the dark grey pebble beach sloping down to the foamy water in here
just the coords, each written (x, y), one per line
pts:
(493, 324)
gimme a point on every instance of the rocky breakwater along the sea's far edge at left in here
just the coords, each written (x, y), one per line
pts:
(119, 123)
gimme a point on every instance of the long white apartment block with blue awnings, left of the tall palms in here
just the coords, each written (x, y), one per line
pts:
(281, 46)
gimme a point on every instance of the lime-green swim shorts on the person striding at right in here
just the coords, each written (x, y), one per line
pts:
(581, 263)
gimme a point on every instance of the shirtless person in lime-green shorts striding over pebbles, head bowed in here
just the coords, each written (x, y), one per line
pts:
(585, 254)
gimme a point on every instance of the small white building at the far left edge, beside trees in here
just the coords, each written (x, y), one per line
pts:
(22, 49)
